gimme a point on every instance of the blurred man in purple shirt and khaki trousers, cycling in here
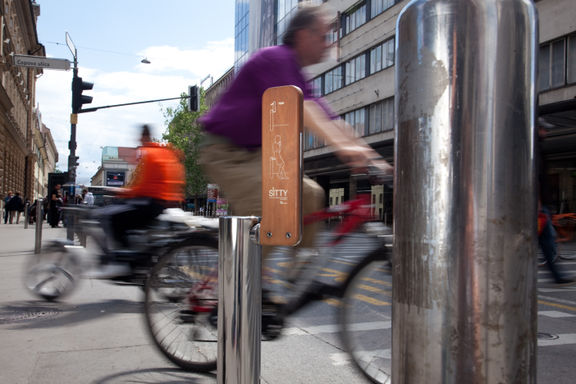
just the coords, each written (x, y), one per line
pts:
(231, 155)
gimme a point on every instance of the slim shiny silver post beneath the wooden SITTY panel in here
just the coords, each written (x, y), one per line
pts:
(240, 301)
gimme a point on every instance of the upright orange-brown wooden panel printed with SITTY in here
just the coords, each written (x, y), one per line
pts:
(281, 166)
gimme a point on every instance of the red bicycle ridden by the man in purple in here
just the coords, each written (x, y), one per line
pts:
(181, 296)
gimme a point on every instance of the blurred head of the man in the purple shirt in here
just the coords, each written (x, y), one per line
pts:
(306, 34)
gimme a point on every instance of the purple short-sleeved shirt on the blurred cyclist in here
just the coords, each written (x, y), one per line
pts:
(238, 114)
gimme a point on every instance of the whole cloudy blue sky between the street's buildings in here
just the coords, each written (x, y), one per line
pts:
(185, 41)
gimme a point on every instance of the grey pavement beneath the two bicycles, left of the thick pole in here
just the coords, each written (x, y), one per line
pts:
(97, 335)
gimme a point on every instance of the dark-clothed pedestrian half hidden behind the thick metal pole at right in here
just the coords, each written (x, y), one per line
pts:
(546, 231)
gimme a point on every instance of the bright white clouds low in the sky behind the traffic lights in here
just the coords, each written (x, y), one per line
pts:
(170, 73)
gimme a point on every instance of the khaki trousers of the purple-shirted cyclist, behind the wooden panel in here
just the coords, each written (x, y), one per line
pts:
(238, 172)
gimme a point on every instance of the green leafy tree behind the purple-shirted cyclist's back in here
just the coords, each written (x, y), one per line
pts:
(184, 133)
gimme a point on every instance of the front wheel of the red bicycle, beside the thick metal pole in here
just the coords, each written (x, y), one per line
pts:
(366, 316)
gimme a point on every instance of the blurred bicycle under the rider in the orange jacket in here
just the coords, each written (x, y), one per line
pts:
(54, 273)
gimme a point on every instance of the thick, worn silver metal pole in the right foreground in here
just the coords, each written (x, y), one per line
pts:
(464, 299)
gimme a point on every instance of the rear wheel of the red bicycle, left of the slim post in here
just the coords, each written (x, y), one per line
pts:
(181, 303)
